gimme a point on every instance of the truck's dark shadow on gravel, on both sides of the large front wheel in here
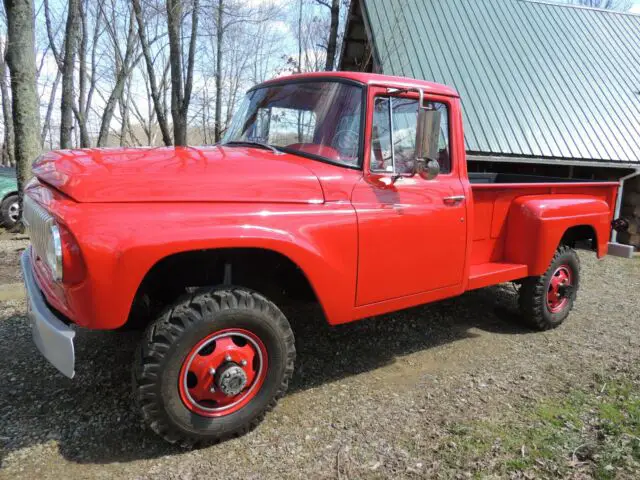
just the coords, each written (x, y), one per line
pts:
(92, 417)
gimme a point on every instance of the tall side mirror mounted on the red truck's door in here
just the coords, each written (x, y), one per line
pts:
(427, 137)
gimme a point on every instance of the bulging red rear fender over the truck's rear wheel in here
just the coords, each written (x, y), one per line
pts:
(537, 223)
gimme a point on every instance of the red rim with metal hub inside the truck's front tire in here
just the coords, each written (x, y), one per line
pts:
(217, 366)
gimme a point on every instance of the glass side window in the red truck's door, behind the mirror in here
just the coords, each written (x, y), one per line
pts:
(393, 138)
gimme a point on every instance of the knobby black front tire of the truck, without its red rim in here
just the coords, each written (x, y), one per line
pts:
(167, 342)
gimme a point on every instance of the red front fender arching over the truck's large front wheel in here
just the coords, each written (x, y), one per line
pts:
(320, 239)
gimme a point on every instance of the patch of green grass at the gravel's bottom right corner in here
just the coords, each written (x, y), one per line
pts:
(589, 431)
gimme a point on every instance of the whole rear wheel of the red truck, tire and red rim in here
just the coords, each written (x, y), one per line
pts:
(546, 300)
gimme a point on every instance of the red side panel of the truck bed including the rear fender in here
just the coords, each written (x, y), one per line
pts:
(520, 223)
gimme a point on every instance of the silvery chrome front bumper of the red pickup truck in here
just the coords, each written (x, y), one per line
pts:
(52, 336)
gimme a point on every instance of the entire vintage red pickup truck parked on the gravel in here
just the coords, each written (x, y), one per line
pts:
(350, 189)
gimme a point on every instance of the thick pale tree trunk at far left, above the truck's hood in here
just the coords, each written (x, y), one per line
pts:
(22, 64)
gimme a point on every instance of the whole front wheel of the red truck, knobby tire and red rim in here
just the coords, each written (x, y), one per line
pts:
(212, 365)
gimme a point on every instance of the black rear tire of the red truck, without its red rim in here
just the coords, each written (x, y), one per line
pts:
(533, 292)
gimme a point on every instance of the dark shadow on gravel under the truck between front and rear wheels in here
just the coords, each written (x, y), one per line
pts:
(326, 354)
